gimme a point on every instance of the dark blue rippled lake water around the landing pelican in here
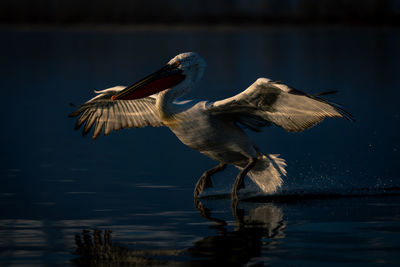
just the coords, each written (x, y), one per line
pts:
(340, 203)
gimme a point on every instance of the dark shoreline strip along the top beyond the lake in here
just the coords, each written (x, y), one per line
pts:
(372, 12)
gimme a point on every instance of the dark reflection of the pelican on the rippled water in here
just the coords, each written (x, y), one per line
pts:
(255, 229)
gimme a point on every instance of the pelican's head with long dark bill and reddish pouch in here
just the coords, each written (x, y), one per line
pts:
(181, 73)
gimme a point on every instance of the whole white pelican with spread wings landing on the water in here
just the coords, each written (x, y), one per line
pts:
(215, 129)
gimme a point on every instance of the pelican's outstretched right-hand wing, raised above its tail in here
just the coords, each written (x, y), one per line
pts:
(267, 101)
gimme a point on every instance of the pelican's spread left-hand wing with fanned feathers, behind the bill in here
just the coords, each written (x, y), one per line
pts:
(102, 112)
